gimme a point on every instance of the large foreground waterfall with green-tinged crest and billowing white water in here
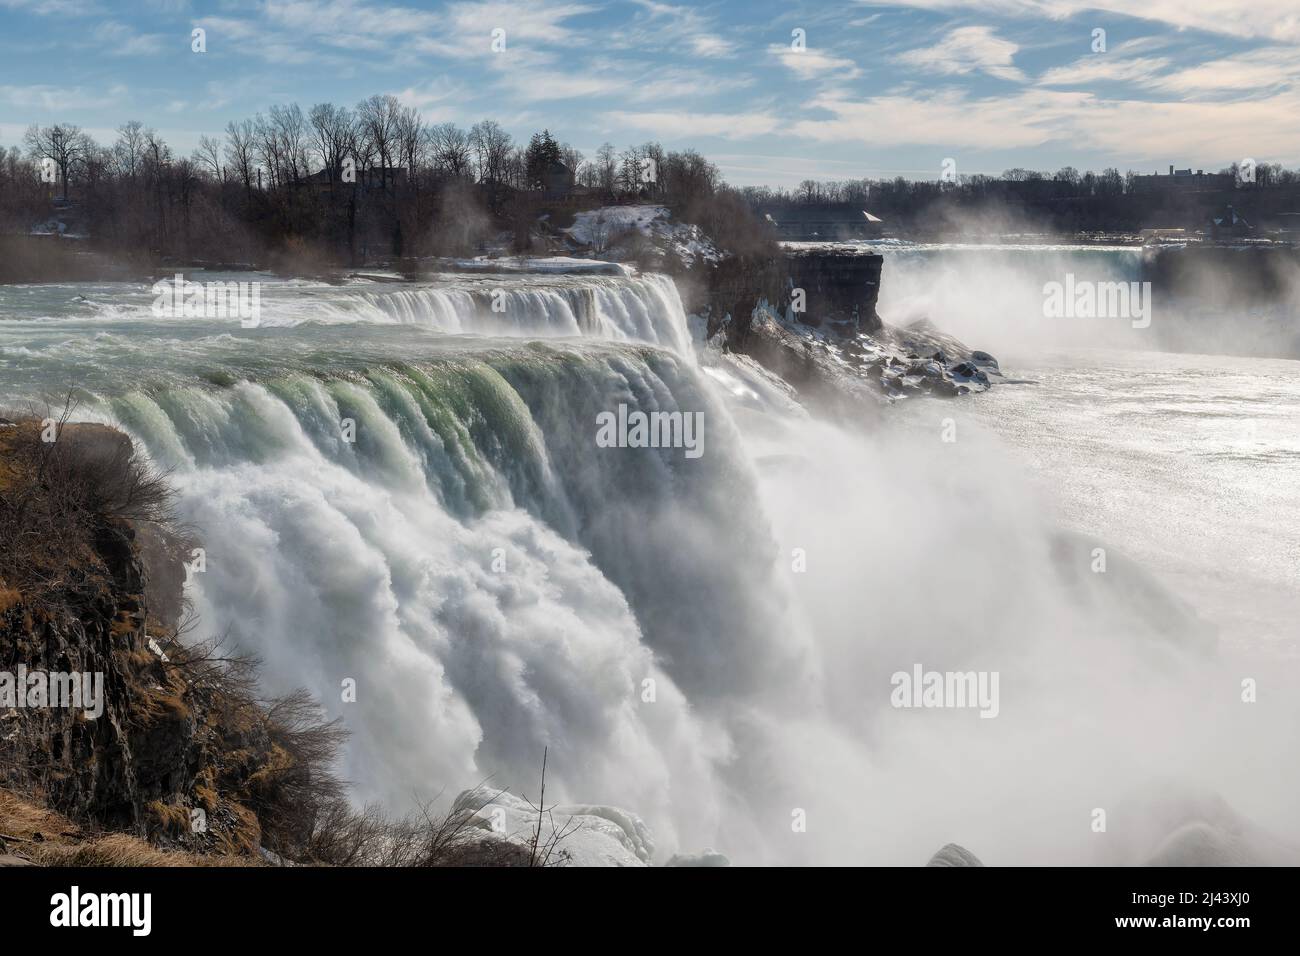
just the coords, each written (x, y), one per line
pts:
(493, 581)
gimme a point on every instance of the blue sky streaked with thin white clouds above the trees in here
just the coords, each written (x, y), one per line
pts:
(881, 89)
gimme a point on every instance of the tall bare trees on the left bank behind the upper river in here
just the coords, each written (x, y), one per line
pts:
(341, 184)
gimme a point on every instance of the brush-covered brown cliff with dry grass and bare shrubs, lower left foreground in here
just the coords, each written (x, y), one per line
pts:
(185, 764)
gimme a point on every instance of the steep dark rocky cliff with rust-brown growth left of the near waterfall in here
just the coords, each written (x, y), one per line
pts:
(106, 719)
